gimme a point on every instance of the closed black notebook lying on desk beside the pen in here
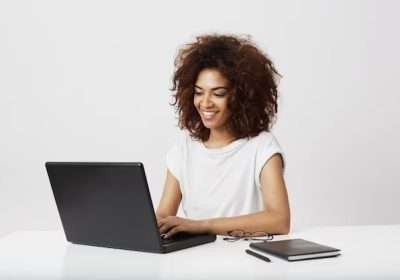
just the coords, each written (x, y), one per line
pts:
(296, 249)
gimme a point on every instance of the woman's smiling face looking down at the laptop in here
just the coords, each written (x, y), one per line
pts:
(211, 98)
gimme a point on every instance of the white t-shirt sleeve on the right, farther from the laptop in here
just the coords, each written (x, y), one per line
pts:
(268, 146)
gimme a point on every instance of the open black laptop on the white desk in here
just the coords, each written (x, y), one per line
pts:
(109, 205)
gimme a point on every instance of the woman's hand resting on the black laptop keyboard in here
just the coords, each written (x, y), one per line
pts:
(172, 224)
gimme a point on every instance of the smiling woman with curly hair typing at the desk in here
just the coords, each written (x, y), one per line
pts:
(227, 170)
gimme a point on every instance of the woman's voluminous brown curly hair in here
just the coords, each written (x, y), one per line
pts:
(251, 75)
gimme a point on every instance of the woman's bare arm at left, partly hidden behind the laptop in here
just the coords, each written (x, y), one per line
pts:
(170, 198)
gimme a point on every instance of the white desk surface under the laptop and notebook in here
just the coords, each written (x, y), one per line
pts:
(367, 252)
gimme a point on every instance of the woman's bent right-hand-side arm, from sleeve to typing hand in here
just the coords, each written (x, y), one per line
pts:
(275, 219)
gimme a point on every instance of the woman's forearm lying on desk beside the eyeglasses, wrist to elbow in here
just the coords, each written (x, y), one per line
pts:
(264, 221)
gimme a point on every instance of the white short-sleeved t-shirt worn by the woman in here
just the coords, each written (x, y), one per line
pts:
(221, 182)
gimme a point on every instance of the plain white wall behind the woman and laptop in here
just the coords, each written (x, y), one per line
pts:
(89, 80)
